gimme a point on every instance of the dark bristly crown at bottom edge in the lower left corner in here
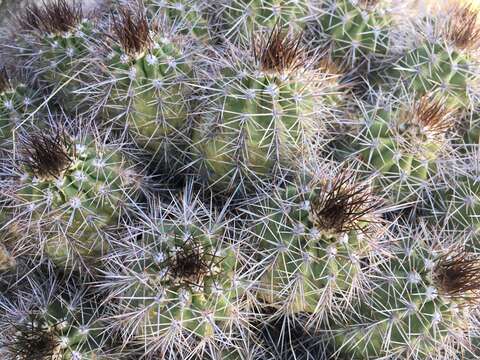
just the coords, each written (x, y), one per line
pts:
(33, 341)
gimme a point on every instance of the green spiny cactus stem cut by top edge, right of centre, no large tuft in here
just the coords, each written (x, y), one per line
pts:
(355, 33)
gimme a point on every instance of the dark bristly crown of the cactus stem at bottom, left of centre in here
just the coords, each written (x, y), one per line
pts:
(191, 263)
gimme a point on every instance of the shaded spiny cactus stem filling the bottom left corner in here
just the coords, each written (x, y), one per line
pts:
(44, 318)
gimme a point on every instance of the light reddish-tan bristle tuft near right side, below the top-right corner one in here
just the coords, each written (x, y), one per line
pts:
(433, 115)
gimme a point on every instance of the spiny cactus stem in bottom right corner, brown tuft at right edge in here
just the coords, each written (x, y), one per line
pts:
(419, 307)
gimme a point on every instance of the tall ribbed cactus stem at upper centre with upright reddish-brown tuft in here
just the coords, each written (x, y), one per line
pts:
(259, 114)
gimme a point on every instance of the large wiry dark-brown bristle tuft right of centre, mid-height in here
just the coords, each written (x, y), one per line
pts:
(342, 205)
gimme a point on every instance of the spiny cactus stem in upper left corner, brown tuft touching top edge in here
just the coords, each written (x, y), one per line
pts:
(54, 42)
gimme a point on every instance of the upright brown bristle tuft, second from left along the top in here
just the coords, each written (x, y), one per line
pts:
(131, 29)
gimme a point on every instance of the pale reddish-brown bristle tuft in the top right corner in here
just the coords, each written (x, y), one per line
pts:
(463, 29)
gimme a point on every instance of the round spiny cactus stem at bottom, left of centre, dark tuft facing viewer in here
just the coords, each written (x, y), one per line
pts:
(177, 281)
